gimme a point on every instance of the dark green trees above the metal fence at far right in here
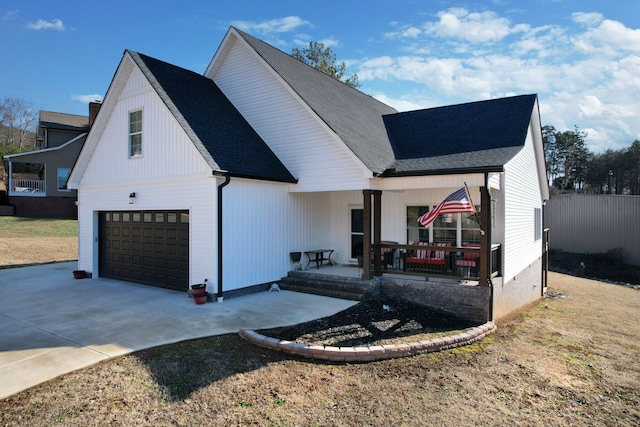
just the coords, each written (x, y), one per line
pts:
(571, 166)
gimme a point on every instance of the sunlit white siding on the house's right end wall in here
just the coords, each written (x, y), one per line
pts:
(522, 196)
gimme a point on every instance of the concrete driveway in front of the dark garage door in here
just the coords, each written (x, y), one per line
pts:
(52, 324)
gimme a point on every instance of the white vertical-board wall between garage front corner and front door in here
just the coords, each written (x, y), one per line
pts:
(262, 224)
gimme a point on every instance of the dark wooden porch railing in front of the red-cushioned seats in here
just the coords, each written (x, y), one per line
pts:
(451, 264)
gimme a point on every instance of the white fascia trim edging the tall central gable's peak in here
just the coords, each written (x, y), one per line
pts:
(217, 61)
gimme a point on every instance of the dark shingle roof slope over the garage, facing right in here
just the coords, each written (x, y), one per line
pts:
(218, 130)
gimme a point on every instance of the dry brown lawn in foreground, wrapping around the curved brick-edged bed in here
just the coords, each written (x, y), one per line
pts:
(562, 361)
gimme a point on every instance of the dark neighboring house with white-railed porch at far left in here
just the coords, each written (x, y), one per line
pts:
(37, 180)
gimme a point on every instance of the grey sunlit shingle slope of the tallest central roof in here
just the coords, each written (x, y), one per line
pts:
(354, 116)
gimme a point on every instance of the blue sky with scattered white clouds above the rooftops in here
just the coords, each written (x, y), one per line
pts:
(581, 57)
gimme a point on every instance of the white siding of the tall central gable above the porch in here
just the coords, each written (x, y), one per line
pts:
(305, 145)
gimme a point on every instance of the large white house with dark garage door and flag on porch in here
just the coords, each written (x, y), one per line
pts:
(282, 158)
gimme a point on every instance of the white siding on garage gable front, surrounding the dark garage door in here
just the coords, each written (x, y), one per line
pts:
(170, 174)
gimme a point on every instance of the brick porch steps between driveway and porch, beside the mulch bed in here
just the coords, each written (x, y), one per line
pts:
(348, 288)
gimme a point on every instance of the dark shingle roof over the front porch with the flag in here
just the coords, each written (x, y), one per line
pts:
(473, 136)
